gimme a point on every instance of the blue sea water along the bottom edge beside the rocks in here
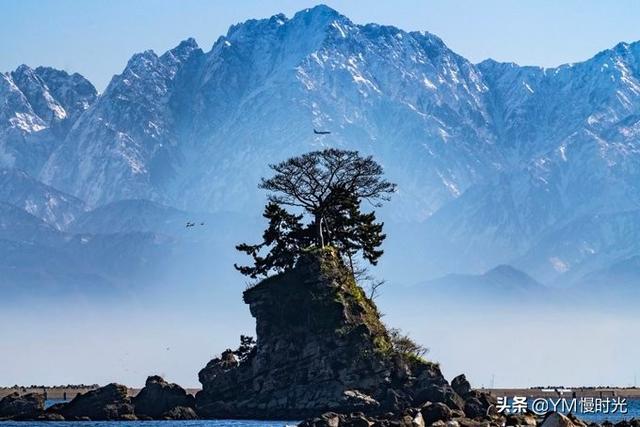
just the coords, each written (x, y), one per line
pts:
(633, 407)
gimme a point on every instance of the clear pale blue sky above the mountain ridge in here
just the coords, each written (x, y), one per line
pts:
(96, 38)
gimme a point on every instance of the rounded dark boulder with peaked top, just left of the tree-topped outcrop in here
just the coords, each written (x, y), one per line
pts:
(159, 397)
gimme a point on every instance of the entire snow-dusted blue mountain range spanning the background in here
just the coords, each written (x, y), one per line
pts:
(496, 163)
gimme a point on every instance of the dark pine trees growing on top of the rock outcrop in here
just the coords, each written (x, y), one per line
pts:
(327, 187)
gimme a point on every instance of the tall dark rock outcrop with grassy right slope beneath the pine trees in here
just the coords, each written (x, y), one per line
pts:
(320, 347)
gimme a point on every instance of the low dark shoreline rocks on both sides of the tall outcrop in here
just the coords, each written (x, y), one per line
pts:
(160, 400)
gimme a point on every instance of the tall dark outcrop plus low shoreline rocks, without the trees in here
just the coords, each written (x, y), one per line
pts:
(321, 354)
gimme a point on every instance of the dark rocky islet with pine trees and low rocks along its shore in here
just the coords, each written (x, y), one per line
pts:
(321, 351)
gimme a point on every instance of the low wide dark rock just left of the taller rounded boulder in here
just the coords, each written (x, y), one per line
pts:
(107, 403)
